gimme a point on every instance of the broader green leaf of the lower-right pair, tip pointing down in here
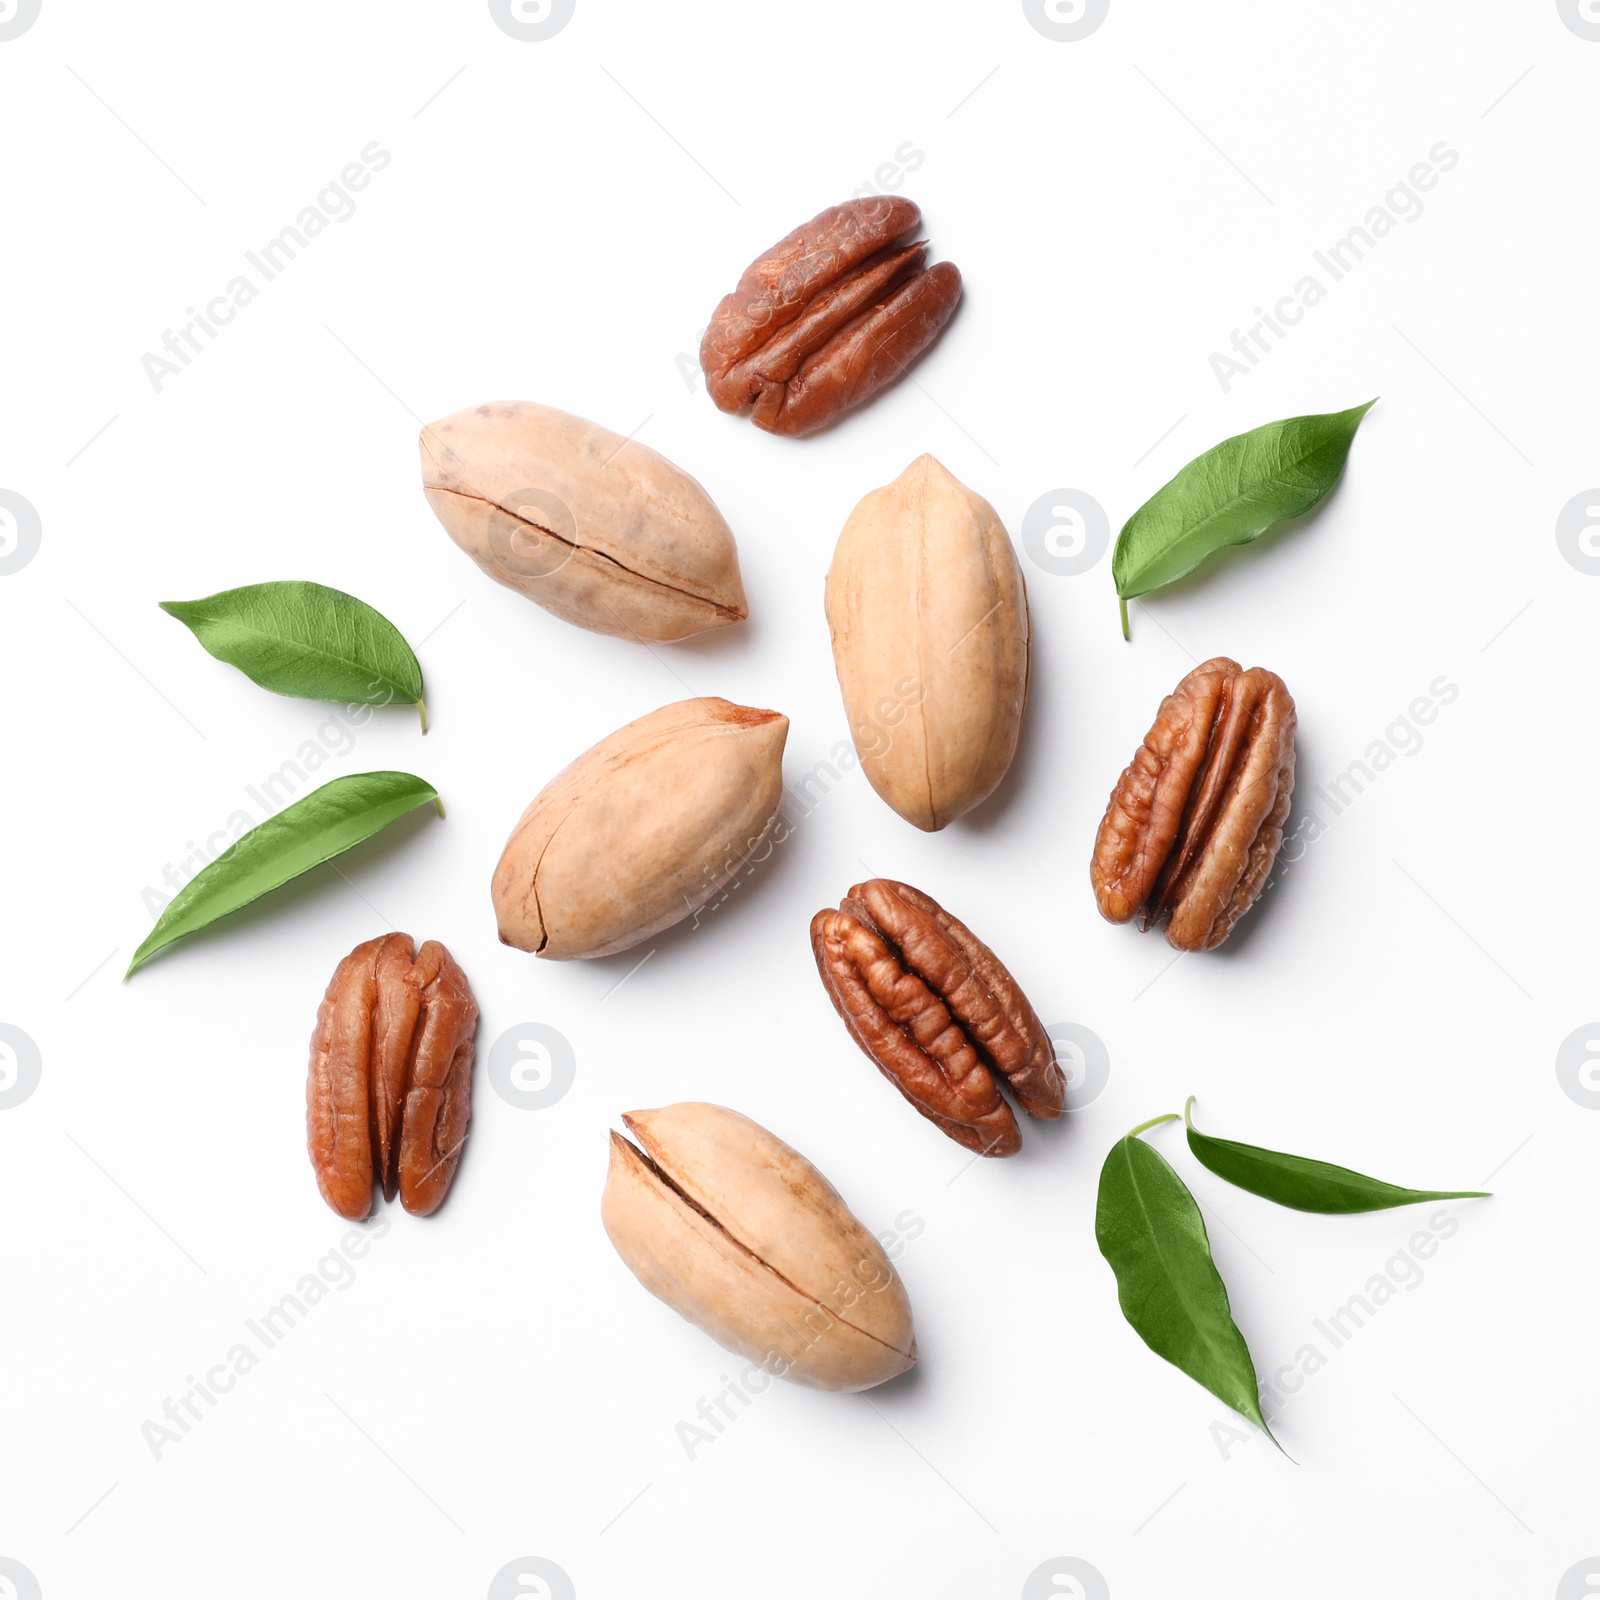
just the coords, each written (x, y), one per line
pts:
(1151, 1231)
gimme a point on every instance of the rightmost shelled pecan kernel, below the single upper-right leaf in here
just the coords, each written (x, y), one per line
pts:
(1196, 822)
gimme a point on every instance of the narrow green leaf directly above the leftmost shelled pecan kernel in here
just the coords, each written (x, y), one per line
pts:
(311, 831)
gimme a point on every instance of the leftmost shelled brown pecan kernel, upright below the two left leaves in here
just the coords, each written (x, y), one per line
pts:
(390, 1092)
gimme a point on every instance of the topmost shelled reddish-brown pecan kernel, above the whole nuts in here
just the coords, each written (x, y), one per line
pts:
(826, 318)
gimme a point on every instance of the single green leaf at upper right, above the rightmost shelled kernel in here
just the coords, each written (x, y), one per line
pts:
(1231, 495)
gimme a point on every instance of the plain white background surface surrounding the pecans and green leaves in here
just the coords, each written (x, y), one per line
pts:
(556, 223)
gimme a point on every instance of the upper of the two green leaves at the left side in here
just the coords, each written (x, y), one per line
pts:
(308, 641)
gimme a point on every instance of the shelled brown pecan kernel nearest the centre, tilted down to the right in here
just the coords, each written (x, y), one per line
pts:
(938, 1014)
